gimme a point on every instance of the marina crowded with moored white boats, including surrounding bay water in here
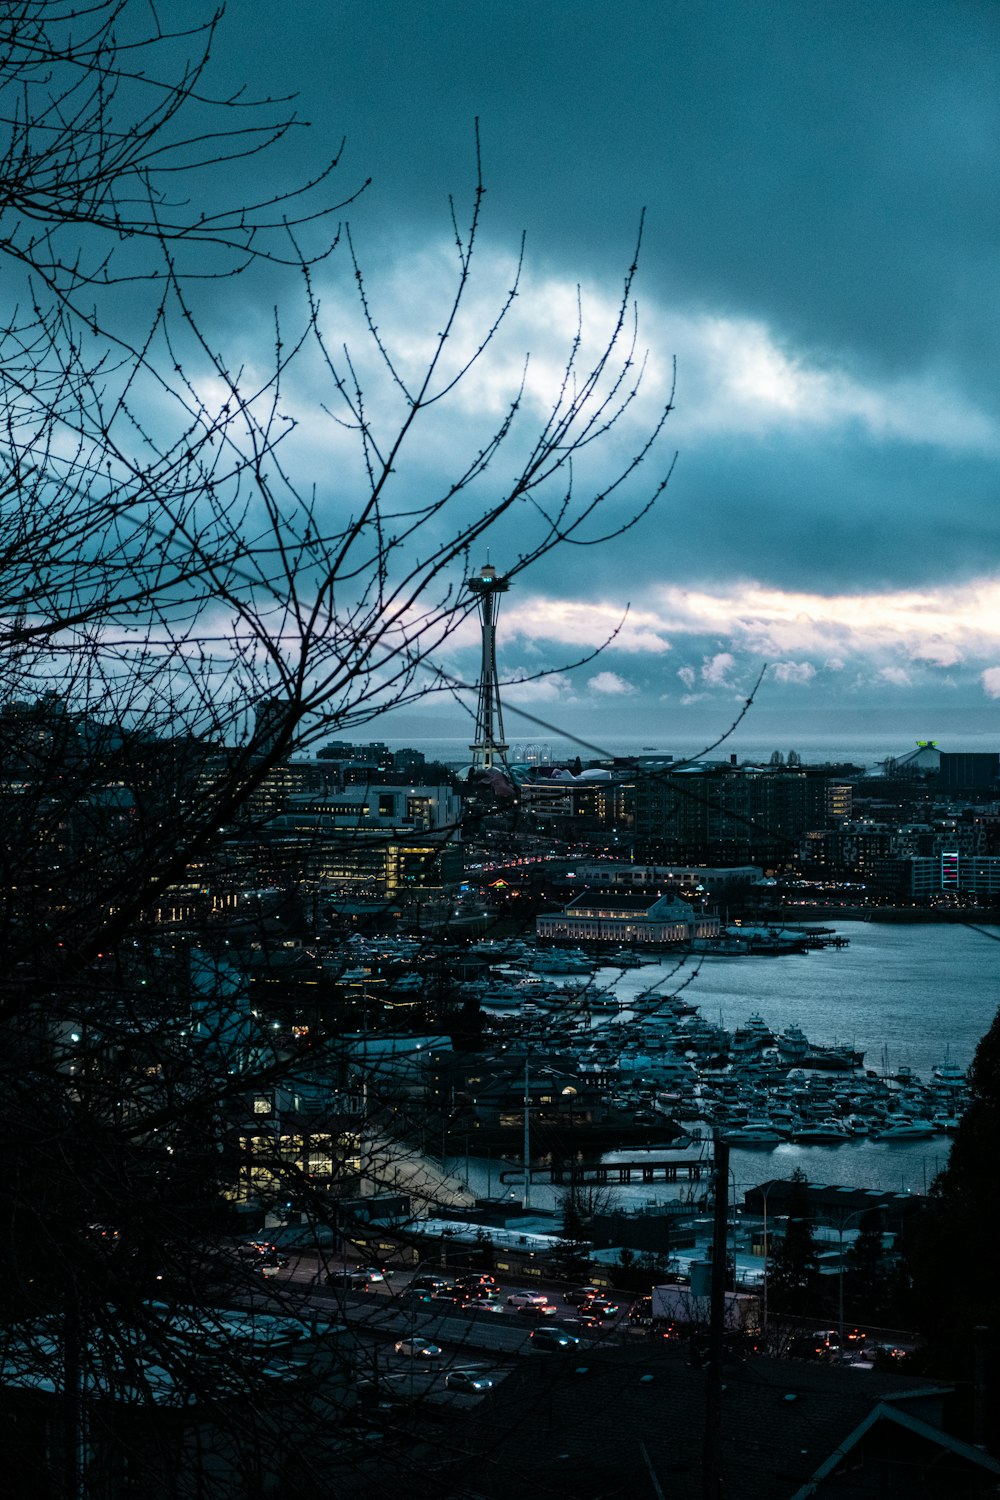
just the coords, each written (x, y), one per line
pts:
(887, 1024)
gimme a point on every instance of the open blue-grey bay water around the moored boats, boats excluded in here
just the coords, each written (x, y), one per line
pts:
(909, 995)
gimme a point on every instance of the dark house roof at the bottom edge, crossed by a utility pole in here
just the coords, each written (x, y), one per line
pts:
(629, 1423)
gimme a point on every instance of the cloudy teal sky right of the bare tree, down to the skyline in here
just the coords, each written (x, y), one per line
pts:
(819, 257)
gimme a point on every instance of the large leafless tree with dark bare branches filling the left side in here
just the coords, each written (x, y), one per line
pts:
(181, 611)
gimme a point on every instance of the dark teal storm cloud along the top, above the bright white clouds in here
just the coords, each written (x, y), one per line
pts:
(833, 167)
